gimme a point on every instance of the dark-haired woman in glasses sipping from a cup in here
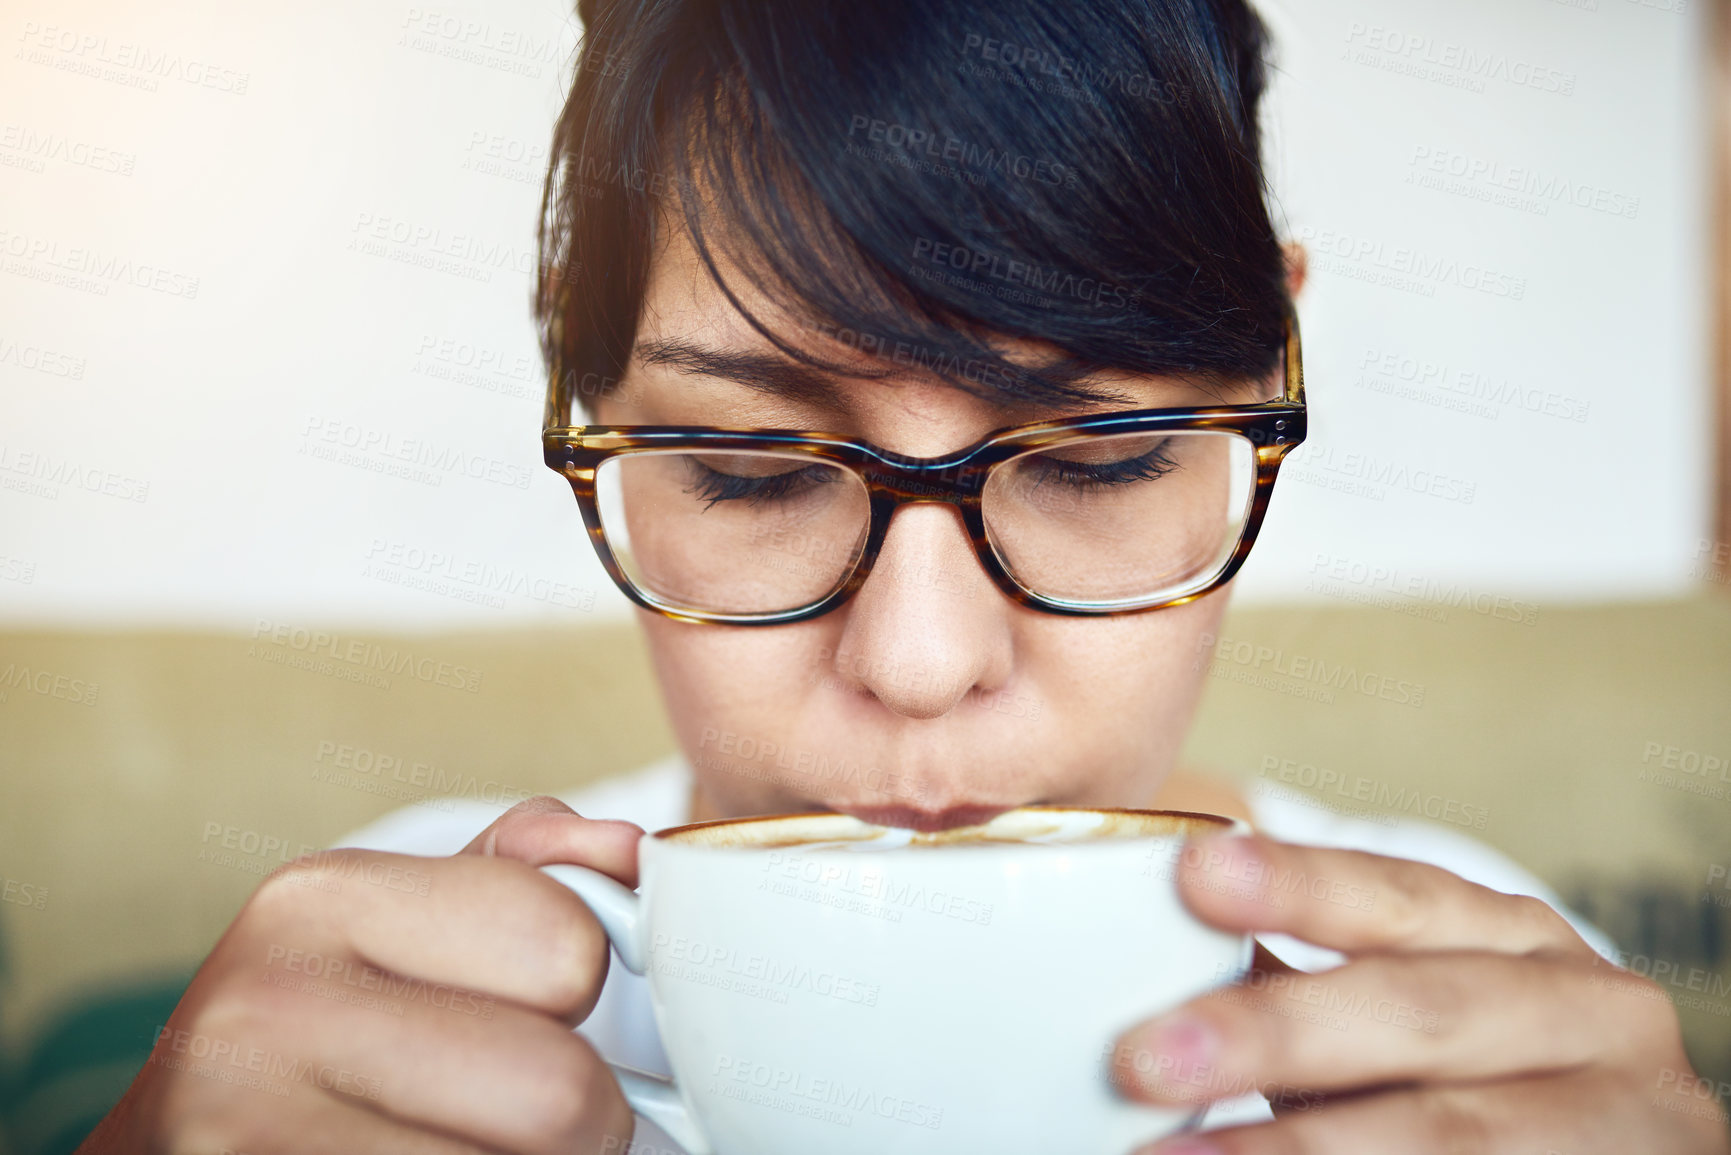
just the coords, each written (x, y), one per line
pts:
(917, 226)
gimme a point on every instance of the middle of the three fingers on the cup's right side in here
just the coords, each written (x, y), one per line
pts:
(1387, 1021)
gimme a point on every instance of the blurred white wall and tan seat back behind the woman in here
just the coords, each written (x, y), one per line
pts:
(271, 397)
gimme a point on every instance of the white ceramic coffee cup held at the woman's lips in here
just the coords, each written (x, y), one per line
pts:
(827, 986)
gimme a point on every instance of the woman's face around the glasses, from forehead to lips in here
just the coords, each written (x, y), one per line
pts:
(929, 699)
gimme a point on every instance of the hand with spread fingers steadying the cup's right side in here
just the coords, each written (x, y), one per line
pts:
(1465, 1021)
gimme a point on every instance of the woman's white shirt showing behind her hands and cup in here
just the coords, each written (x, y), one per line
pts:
(622, 1026)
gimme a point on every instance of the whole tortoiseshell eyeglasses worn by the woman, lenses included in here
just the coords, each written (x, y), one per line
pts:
(1107, 513)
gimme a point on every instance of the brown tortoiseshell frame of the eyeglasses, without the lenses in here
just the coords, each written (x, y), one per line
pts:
(958, 479)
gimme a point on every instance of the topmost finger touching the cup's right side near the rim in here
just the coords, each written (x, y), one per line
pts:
(1361, 903)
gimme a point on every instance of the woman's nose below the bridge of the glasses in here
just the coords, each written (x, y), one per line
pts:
(929, 624)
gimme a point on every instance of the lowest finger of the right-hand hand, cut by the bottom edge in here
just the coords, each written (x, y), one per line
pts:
(1590, 1114)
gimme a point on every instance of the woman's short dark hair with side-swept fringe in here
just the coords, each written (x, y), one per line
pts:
(917, 177)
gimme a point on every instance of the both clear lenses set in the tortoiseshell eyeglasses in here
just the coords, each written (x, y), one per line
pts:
(1104, 522)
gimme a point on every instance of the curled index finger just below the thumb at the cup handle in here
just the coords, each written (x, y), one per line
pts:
(480, 924)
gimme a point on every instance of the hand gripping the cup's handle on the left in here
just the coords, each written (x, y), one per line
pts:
(385, 1003)
